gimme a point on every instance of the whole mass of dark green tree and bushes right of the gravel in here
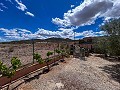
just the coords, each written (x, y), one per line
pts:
(110, 44)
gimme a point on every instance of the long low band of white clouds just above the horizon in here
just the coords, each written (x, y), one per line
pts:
(23, 34)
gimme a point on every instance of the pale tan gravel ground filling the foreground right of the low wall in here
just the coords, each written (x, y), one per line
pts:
(74, 74)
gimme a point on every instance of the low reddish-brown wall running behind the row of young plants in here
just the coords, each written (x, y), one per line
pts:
(23, 71)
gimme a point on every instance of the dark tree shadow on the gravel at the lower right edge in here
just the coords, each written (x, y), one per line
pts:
(113, 71)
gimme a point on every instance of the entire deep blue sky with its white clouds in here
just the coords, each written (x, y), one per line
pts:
(41, 19)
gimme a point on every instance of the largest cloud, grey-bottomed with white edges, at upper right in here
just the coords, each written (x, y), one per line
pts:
(88, 11)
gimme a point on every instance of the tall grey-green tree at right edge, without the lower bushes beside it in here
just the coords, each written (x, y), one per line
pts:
(112, 28)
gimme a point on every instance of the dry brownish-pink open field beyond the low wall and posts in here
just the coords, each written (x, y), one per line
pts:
(24, 51)
